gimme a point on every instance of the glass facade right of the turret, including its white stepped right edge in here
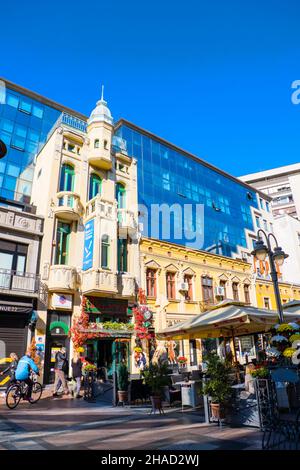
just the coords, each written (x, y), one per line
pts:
(229, 210)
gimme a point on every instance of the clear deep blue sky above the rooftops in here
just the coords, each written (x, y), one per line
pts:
(212, 77)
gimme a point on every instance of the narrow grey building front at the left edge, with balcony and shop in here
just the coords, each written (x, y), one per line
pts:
(20, 238)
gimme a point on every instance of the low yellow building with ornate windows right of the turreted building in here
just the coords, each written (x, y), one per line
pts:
(181, 282)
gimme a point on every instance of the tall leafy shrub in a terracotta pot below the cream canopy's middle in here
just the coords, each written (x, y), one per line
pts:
(218, 385)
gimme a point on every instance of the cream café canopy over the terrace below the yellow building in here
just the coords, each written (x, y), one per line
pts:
(227, 319)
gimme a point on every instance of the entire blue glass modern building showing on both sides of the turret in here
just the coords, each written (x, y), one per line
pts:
(224, 211)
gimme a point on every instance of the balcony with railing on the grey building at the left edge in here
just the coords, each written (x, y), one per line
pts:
(15, 282)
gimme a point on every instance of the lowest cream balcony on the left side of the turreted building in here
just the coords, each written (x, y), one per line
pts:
(62, 278)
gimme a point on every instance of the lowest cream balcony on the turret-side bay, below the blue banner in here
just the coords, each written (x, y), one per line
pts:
(99, 281)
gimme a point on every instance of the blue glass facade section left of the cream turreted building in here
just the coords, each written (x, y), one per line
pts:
(24, 125)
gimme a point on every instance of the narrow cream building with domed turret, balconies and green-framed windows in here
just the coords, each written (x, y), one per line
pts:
(87, 189)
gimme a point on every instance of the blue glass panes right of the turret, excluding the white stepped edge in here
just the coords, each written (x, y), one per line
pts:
(166, 175)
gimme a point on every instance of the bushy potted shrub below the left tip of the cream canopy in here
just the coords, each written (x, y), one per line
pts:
(156, 377)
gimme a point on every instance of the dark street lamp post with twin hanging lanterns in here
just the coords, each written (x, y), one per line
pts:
(277, 255)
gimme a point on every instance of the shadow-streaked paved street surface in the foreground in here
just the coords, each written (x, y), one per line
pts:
(66, 423)
